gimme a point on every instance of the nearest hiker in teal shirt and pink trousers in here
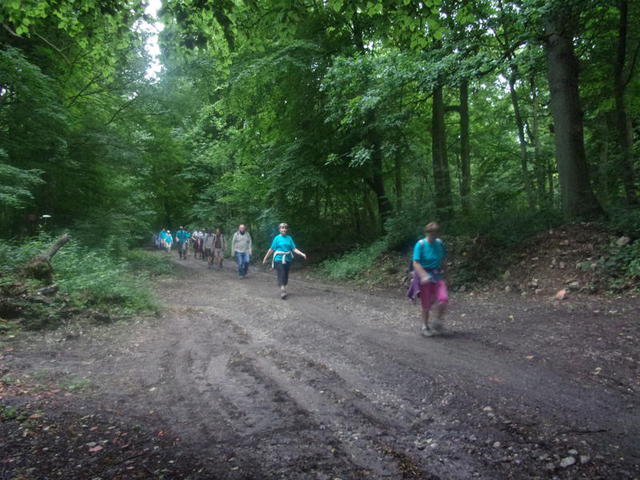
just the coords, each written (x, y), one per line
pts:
(428, 269)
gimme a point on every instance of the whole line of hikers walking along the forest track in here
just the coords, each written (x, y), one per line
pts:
(428, 263)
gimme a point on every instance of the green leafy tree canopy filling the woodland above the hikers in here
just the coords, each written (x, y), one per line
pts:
(311, 113)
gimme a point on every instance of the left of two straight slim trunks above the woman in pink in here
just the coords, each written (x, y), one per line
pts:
(441, 176)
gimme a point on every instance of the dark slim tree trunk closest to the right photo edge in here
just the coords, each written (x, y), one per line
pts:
(623, 123)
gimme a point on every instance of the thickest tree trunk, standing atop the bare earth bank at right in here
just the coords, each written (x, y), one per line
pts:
(577, 195)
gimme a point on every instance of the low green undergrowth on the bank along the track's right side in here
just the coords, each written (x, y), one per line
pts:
(480, 247)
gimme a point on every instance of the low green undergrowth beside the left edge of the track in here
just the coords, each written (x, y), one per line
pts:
(89, 279)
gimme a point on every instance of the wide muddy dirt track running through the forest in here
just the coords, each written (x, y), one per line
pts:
(336, 383)
